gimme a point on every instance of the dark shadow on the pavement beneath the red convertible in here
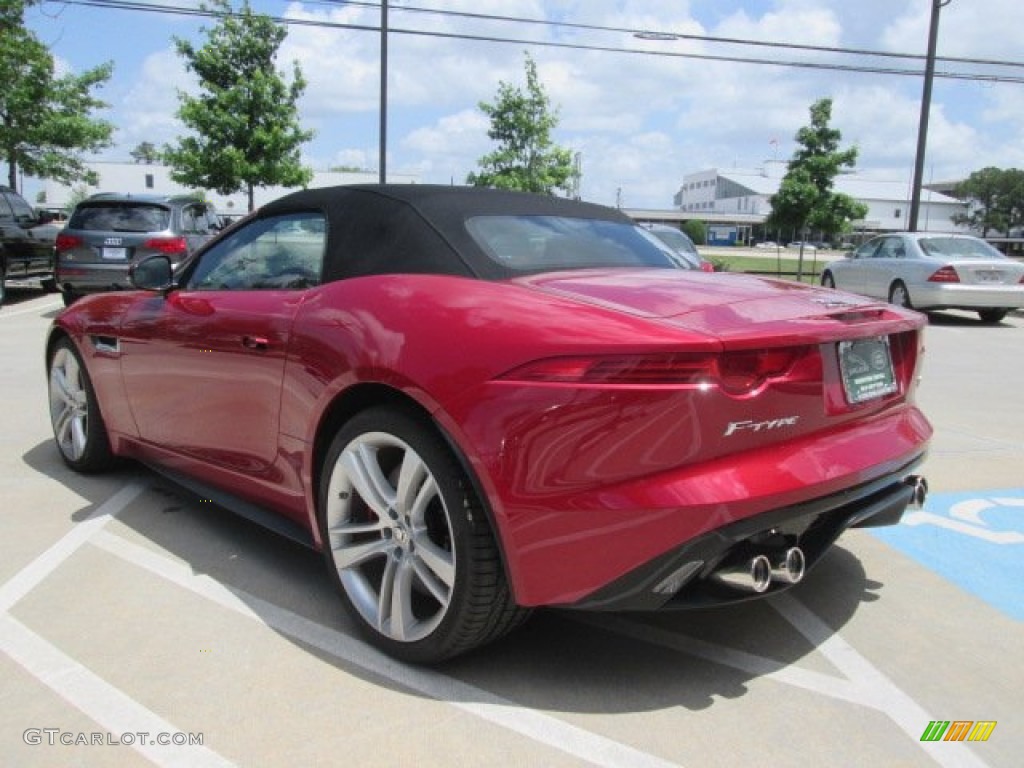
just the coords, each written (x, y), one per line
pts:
(560, 661)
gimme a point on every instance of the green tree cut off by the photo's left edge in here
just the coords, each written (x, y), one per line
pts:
(46, 121)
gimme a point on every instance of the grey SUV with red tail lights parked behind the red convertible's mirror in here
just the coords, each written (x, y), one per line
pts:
(107, 233)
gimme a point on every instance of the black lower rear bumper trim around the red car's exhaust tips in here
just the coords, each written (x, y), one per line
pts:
(684, 578)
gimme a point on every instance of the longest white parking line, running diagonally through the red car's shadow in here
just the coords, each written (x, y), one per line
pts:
(535, 726)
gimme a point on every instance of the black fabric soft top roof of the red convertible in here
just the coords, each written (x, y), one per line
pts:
(419, 229)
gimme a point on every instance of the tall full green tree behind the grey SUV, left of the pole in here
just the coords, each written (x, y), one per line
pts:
(245, 119)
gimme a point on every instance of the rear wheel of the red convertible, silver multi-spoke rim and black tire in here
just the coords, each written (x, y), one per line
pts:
(422, 576)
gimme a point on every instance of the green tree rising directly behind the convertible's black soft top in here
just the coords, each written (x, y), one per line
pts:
(527, 159)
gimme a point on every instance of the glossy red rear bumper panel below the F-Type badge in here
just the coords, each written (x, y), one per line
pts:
(572, 549)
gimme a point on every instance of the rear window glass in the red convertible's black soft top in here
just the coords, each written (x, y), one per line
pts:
(531, 244)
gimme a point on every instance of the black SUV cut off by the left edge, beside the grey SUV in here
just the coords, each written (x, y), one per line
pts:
(26, 253)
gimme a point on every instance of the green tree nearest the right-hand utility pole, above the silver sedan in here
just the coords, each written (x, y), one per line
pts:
(805, 201)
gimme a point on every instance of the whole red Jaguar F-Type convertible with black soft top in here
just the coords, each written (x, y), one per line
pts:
(479, 402)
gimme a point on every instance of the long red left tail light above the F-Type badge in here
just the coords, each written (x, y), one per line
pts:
(736, 373)
